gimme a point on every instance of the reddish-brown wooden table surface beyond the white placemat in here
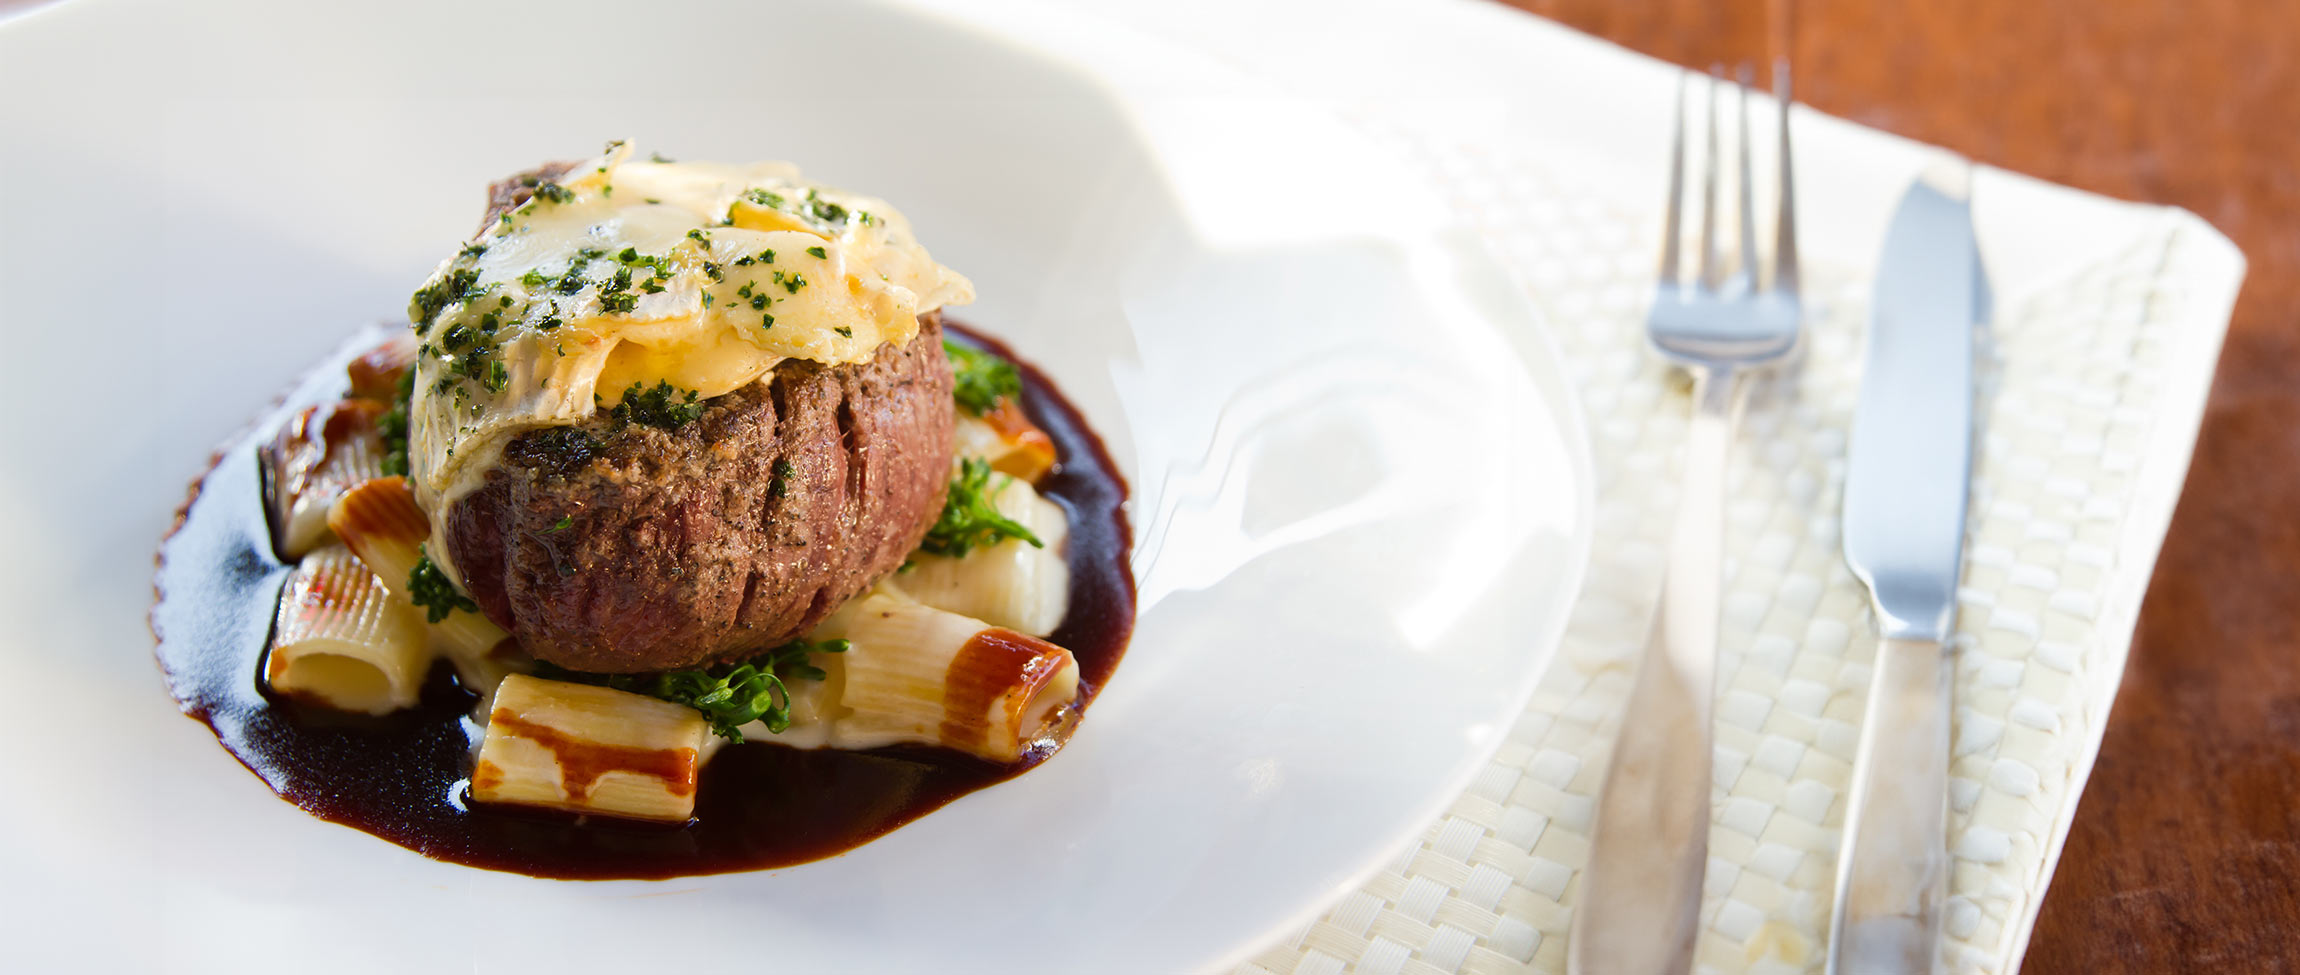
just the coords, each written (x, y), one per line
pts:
(2186, 850)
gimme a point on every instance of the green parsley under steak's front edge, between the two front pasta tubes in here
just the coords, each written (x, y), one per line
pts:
(728, 696)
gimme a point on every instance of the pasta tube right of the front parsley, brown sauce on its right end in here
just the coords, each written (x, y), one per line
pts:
(921, 675)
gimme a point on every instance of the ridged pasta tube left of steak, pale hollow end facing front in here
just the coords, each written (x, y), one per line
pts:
(344, 640)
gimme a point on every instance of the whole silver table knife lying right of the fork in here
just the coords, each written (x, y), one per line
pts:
(1906, 539)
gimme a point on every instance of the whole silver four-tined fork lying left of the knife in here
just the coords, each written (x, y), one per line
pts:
(1641, 893)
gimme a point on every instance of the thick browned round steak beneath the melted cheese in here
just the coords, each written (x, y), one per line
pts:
(627, 548)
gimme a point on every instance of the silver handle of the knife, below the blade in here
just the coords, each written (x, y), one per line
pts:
(1894, 861)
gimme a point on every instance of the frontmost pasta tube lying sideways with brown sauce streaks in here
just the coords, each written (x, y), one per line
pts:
(595, 751)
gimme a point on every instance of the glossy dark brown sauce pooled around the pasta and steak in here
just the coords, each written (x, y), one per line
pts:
(404, 776)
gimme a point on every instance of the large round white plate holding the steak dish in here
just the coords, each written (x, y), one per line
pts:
(1360, 489)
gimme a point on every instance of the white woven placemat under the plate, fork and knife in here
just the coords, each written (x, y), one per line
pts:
(2108, 325)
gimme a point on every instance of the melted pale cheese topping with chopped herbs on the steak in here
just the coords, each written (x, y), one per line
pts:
(627, 275)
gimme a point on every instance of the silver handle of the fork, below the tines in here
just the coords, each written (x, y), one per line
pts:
(1641, 896)
